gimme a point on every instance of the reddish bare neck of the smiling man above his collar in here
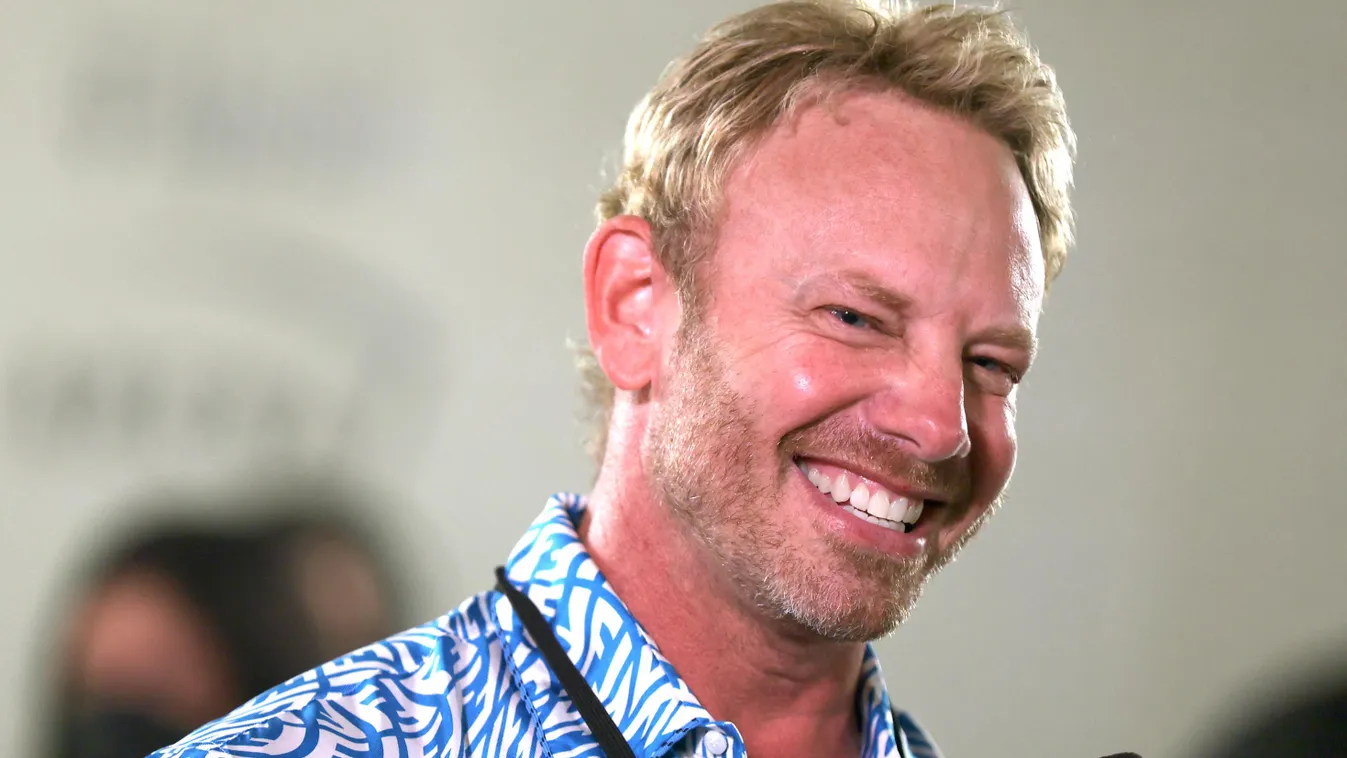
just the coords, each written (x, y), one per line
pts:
(789, 691)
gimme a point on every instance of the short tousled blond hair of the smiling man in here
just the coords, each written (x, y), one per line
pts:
(755, 69)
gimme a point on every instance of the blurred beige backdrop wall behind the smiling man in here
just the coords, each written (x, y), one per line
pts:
(367, 220)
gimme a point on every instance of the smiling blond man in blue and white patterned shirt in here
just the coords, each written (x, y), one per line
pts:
(812, 296)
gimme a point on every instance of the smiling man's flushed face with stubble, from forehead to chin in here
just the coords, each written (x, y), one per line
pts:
(871, 305)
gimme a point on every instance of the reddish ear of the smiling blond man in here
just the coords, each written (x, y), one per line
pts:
(622, 290)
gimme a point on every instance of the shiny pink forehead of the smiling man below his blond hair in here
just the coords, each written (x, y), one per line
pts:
(921, 200)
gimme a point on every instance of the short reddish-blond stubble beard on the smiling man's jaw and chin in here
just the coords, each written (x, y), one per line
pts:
(707, 469)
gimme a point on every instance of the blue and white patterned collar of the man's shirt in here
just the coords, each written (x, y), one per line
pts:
(647, 699)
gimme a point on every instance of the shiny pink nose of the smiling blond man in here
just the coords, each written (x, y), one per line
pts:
(922, 406)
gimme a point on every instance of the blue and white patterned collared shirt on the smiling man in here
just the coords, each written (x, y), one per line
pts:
(472, 683)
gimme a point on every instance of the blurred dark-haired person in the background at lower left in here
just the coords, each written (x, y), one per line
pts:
(185, 620)
